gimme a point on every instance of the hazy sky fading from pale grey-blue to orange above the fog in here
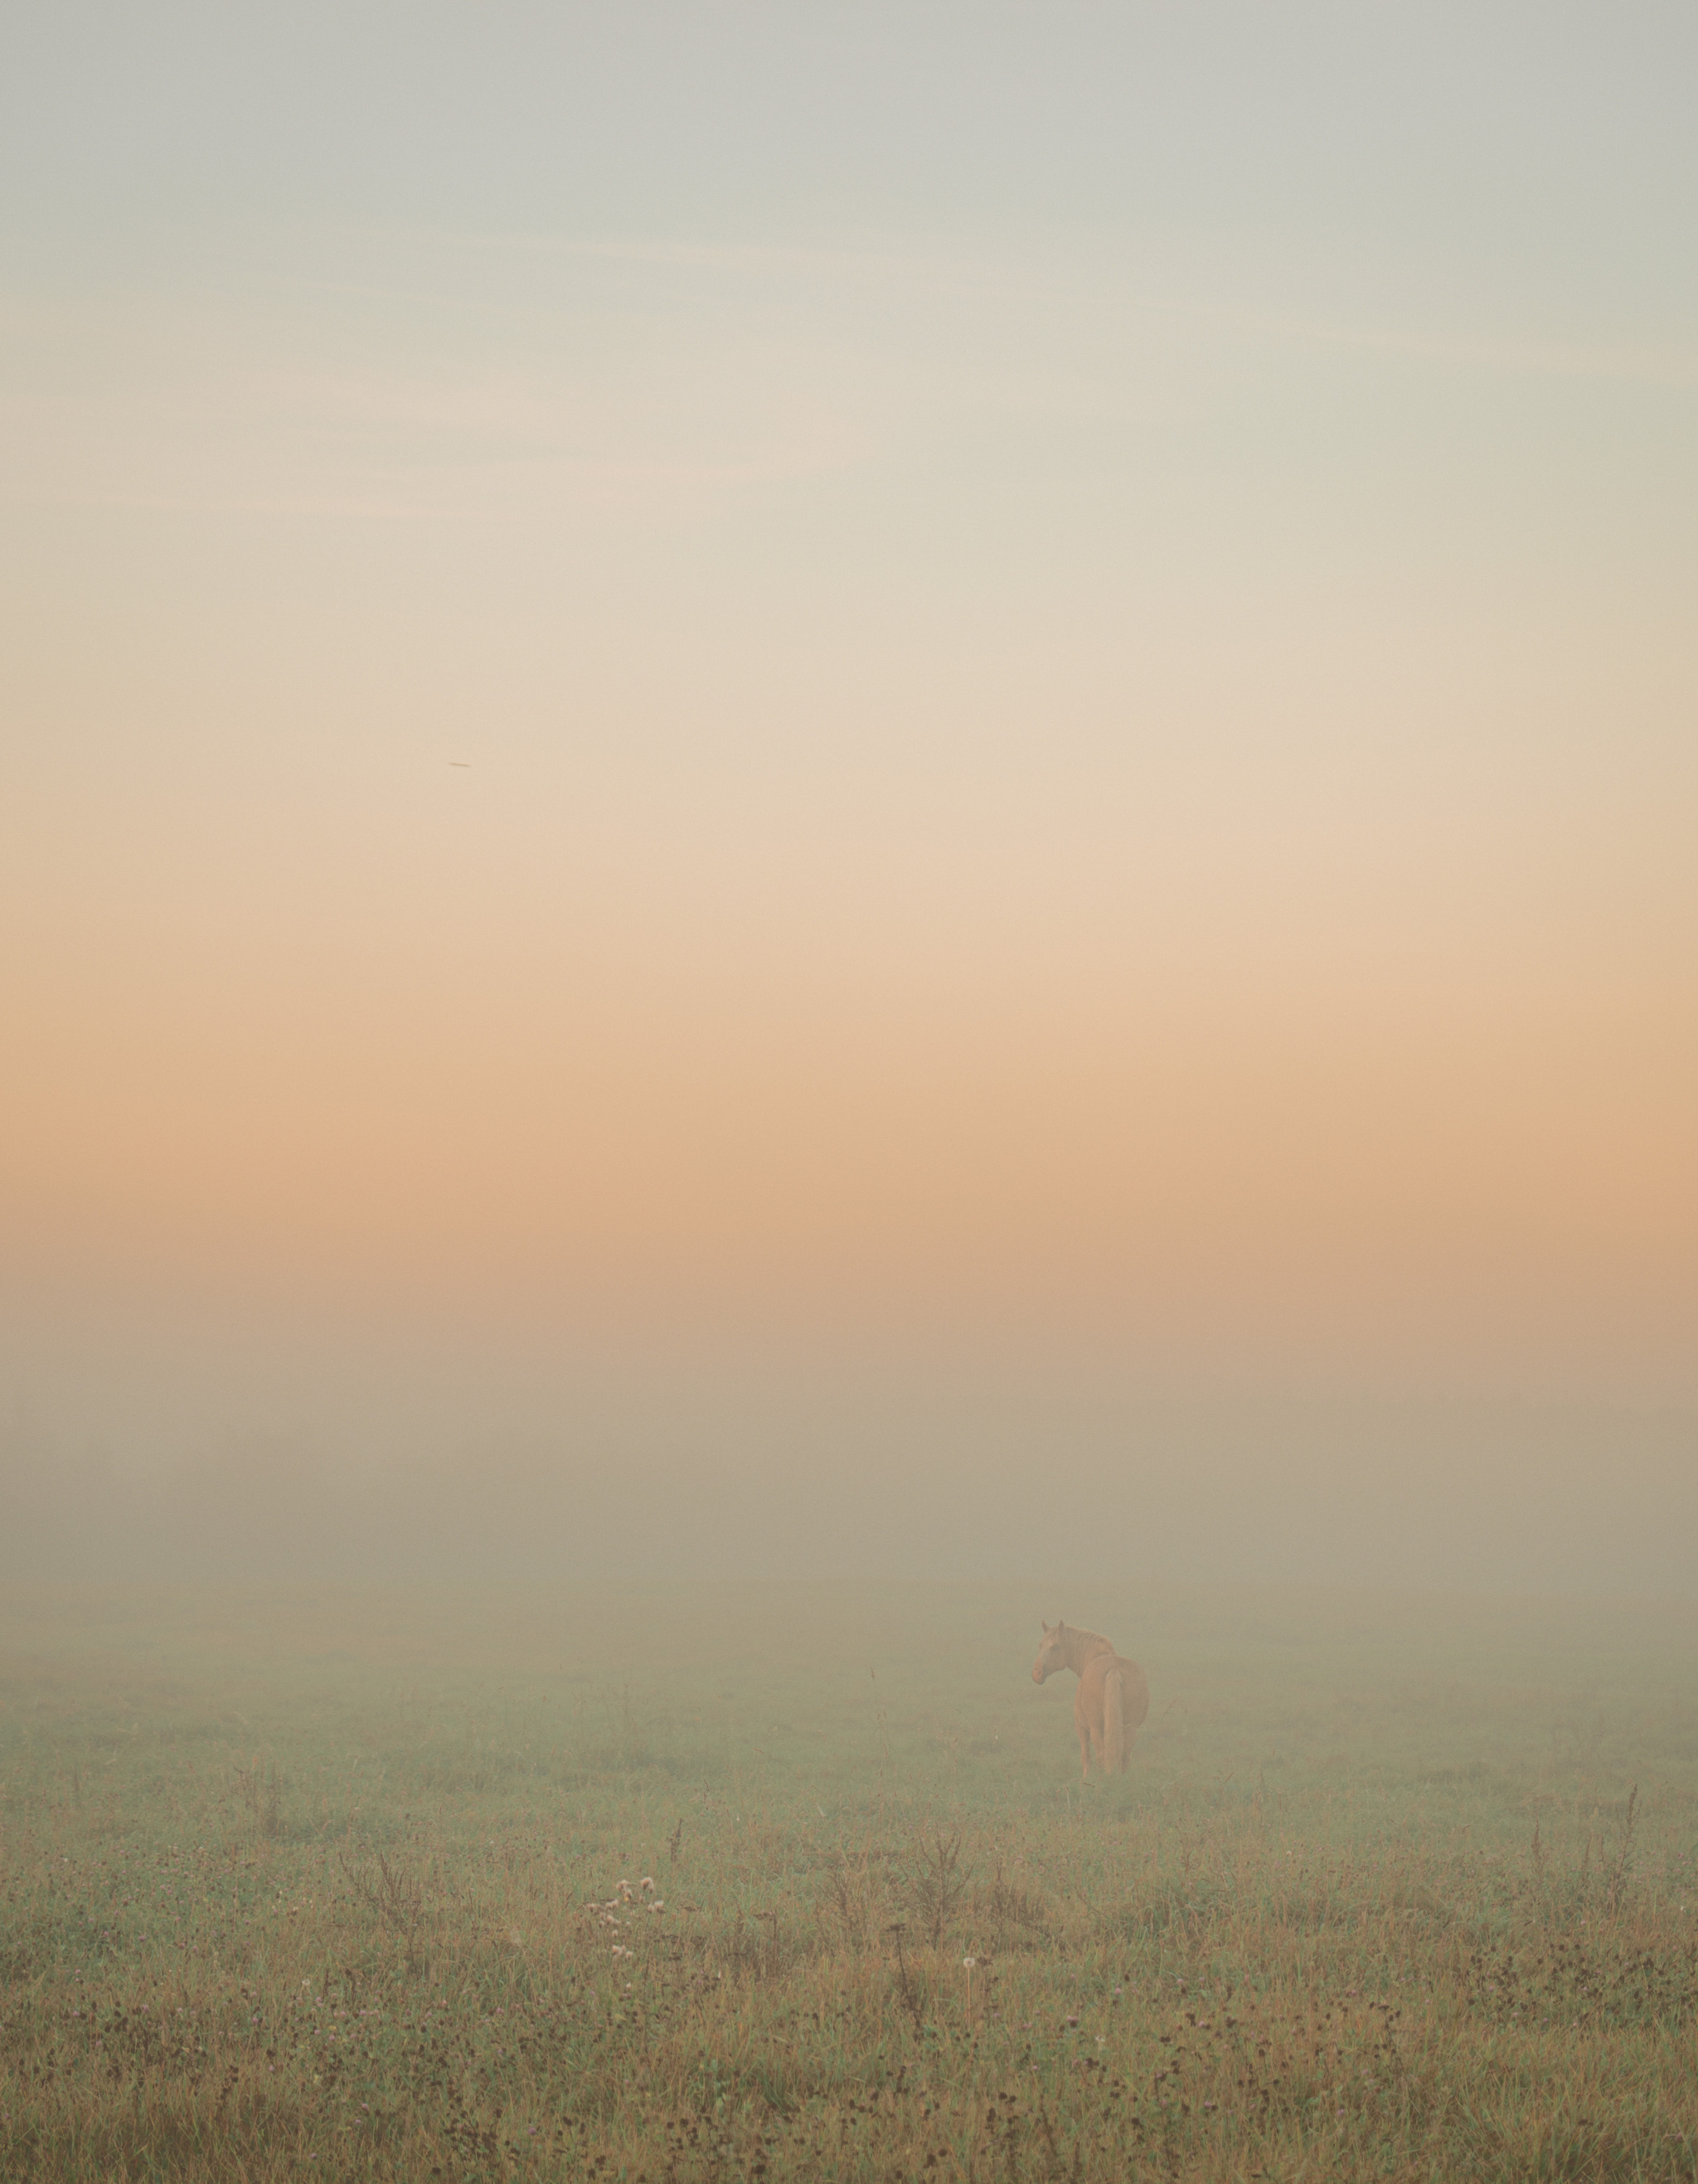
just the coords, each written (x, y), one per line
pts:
(730, 696)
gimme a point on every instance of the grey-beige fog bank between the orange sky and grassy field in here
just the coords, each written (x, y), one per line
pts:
(977, 1469)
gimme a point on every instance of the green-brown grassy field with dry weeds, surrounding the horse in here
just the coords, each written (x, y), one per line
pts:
(800, 1882)
